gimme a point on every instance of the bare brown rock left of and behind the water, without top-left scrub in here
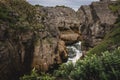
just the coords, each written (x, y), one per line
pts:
(23, 48)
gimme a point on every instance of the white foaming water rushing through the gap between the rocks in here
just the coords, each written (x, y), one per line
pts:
(74, 52)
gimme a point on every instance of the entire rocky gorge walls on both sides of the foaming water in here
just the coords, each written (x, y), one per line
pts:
(39, 39)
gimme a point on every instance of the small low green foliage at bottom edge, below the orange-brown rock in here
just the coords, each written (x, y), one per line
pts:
(35, 76)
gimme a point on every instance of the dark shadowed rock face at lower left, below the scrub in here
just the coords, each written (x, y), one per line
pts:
(16, 51)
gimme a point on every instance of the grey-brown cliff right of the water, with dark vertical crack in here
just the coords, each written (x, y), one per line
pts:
(96, 20)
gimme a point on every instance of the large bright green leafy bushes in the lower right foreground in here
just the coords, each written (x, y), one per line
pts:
(105, 67)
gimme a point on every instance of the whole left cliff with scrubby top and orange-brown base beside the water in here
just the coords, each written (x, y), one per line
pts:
(25, 41)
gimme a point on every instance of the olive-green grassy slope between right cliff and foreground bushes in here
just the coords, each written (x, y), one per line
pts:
(111, 39)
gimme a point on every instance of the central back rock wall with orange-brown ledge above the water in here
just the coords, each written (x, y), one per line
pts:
(67, 27)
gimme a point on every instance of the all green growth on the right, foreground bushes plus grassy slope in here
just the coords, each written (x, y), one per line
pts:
(99, 64)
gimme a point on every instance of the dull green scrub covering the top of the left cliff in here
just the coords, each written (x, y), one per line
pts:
(20, 18)
